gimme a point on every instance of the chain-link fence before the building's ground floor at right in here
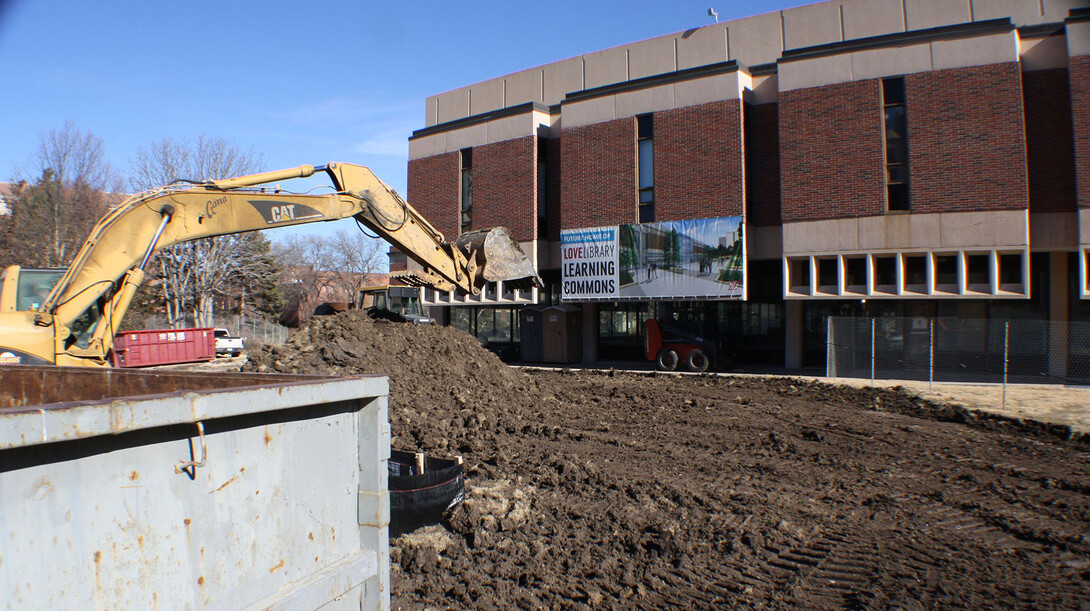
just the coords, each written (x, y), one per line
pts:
(956, 350)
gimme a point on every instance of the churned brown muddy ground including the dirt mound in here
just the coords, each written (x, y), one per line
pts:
(634, 492)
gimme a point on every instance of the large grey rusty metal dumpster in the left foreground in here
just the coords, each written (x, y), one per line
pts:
(128, 490)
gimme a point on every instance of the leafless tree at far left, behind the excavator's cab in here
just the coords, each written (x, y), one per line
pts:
(53, 216)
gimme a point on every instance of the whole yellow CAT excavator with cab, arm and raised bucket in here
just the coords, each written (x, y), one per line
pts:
(75, 323)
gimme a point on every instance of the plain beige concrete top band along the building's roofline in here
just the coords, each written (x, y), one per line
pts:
(761, 40)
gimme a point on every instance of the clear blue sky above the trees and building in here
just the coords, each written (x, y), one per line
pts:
(299, 83)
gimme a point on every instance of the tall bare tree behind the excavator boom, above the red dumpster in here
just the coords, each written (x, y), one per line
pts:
(193, 273)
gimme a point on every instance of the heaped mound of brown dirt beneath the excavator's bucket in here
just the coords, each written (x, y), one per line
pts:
(447, 393)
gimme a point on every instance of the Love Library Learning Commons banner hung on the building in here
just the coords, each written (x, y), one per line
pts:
(694, 260)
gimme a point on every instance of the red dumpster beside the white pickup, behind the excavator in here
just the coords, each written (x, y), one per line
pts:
(164, 347)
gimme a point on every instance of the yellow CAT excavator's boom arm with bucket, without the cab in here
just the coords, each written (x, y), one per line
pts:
(124, 241)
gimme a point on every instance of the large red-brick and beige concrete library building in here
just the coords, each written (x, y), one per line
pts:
(916, 158)
